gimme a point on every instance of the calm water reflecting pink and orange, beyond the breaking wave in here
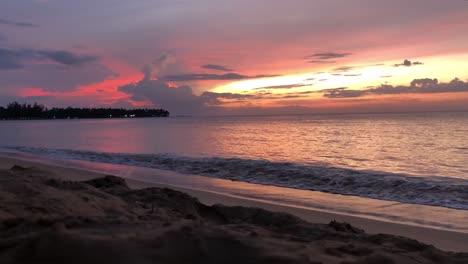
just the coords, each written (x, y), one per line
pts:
(421, 144)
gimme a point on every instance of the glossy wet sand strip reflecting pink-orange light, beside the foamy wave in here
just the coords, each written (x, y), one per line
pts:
(432, 217)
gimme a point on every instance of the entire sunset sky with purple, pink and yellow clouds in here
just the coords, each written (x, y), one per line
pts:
(210, 57)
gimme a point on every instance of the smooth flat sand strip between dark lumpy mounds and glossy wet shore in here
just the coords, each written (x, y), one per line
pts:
(443, 239)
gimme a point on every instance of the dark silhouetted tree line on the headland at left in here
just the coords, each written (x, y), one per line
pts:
(17, 111)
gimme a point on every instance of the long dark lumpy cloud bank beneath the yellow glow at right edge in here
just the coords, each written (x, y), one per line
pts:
(417, 86)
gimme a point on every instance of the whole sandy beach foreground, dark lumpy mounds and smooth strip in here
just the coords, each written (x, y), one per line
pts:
(49, 215)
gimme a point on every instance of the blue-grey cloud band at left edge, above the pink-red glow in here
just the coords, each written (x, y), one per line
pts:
(11, 59)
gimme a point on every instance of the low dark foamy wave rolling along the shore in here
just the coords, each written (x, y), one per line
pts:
(435, 191)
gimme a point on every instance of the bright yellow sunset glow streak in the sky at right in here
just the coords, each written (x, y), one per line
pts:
(355, 77)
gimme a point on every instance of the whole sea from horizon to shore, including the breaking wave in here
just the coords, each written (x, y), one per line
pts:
(413, 158)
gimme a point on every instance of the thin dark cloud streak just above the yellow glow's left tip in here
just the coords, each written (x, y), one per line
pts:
(203, 76)
